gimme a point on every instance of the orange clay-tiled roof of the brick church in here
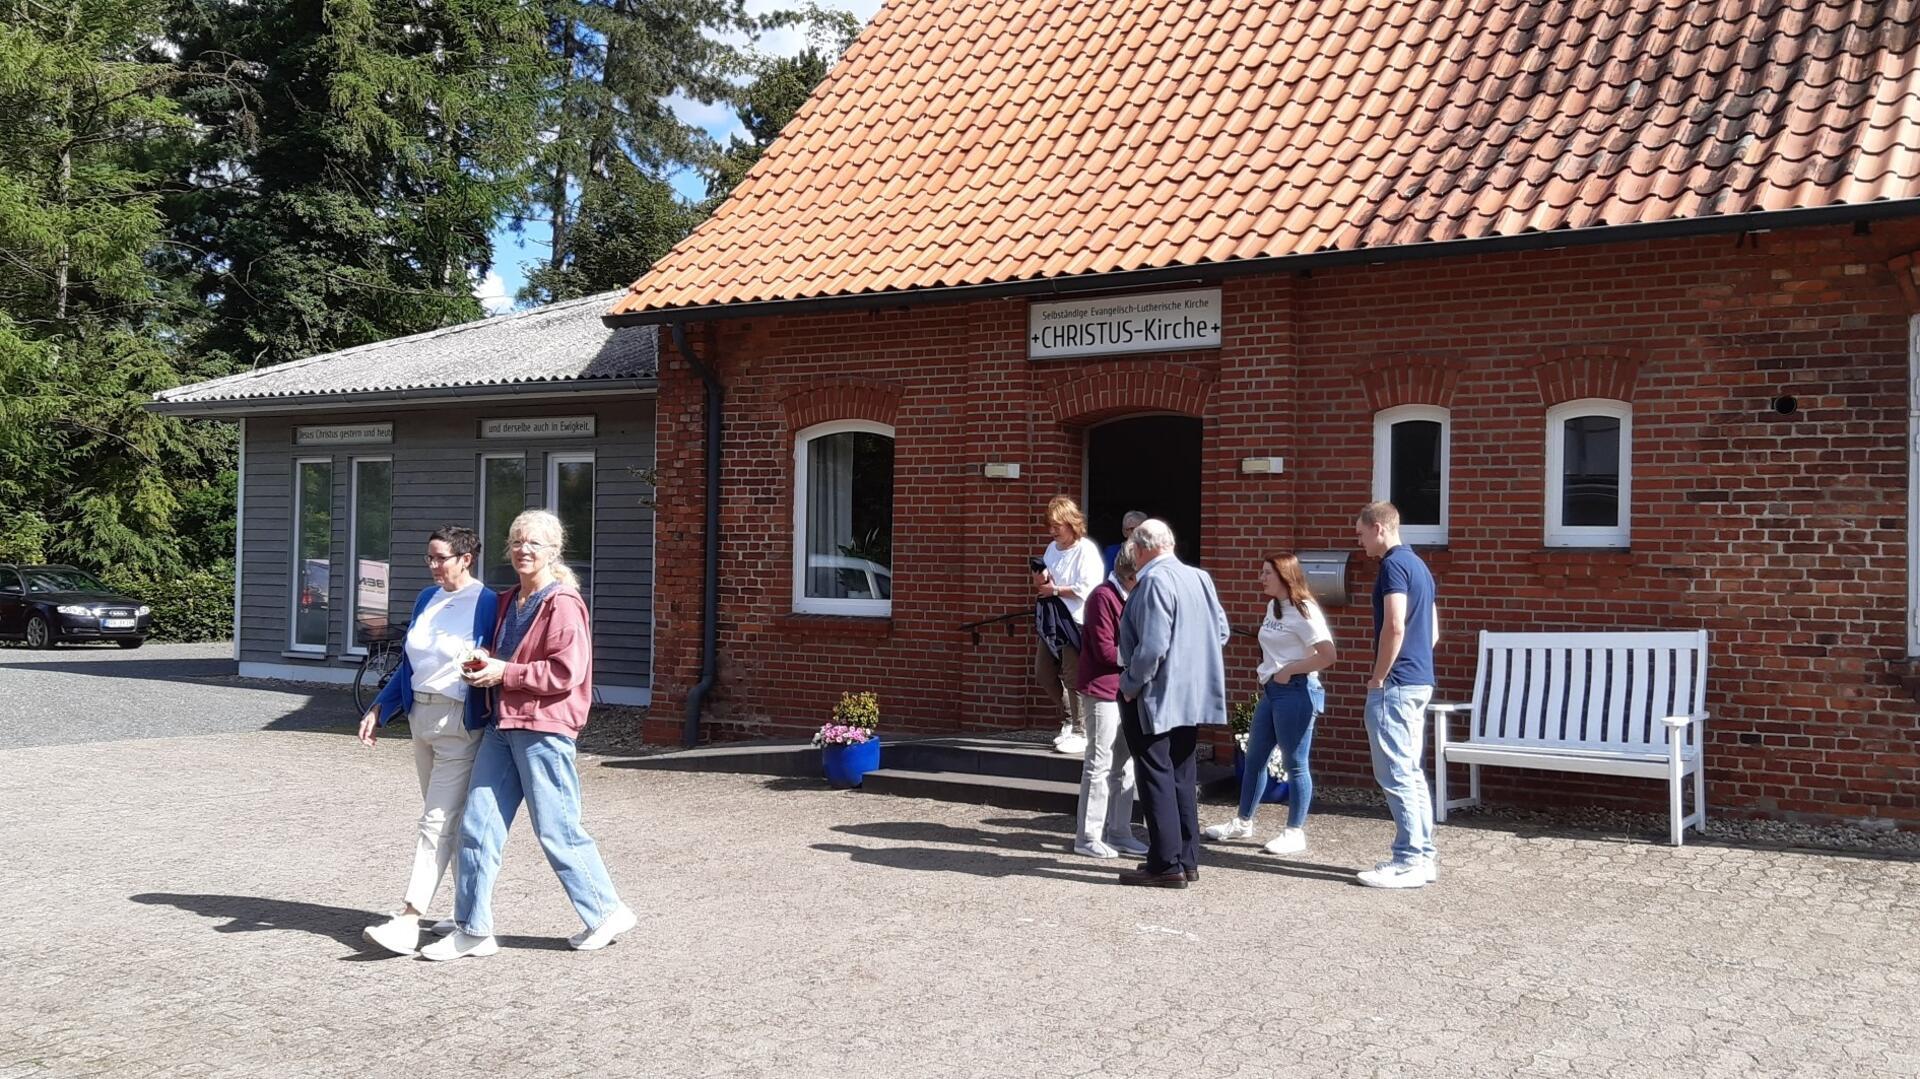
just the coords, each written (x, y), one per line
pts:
(967, 143)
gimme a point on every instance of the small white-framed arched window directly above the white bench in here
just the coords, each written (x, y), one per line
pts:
(1591, 456)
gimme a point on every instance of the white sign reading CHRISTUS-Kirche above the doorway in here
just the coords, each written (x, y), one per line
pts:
(1153, 322)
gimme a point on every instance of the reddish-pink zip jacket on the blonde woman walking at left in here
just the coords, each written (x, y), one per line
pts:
(550, 677)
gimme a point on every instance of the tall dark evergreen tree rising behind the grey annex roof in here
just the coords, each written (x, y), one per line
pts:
(350, 176)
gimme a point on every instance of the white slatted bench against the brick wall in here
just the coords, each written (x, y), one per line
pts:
(1608, 704)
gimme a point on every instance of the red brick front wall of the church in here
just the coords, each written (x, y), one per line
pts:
(1783, 535)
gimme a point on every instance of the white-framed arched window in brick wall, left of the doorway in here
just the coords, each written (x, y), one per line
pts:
(844, 519)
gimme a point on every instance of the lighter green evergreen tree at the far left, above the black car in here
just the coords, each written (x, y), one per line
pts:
(85, 473)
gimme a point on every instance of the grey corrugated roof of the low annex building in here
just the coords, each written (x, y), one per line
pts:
(560, 343)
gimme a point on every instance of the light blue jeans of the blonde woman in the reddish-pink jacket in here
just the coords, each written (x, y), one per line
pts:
(539, 769)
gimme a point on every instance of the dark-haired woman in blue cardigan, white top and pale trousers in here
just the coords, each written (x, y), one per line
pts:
(450, 623)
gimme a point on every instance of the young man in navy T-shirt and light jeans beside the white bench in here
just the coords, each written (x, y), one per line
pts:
(1399, 690)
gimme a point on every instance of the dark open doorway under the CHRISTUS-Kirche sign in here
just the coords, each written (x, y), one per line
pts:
(1147, 464)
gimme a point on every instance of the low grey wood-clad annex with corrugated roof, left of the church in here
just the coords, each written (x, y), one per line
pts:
(350, 460)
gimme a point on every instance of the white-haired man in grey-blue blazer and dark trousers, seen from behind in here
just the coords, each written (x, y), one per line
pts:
(1172, 681)
